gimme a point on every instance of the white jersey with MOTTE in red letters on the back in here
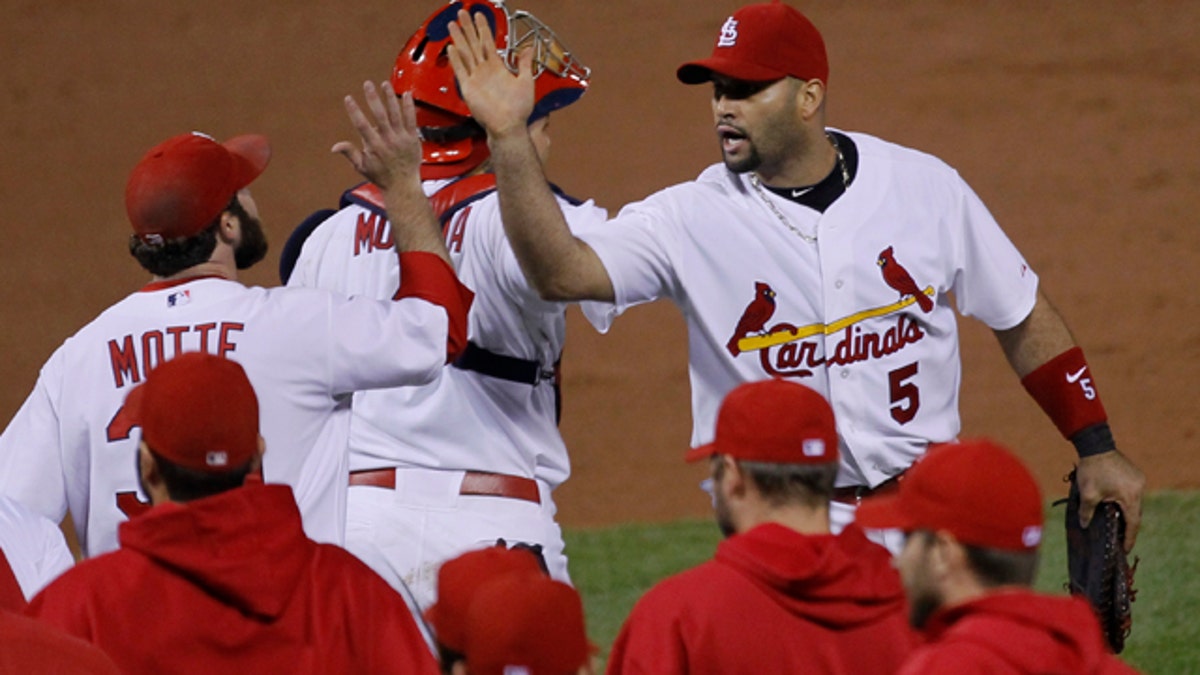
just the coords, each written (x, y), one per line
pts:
(304, 351)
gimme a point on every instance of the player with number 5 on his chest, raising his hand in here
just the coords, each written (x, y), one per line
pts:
(831, 258)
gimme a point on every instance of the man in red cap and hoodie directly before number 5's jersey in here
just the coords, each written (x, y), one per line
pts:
(783, 594)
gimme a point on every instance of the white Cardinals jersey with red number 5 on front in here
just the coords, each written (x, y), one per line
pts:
(862, 314)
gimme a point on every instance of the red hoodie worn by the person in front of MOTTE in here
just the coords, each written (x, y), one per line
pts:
(231, 584)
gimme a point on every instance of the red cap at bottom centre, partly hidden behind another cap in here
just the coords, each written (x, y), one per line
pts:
(460, 578)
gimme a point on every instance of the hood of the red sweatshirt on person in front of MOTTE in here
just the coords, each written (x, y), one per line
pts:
(245, 547)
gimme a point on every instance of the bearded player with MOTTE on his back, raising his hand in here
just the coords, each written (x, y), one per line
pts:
(196, 225)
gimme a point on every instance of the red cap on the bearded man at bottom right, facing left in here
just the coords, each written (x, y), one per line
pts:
(976, 491)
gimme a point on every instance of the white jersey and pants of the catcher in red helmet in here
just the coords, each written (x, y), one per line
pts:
(463, 421)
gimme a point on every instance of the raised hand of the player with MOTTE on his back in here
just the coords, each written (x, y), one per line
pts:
(392, 142)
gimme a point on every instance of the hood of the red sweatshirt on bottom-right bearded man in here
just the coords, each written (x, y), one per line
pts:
(1034, 632)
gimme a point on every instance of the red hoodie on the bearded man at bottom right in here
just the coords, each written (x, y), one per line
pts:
(1015, 632)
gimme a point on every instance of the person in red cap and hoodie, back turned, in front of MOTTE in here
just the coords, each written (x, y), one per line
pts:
(219, 576)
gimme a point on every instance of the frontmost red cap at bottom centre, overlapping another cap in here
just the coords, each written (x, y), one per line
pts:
(526, 624)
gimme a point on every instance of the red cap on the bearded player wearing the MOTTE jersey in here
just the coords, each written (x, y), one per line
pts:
(184, 183)
